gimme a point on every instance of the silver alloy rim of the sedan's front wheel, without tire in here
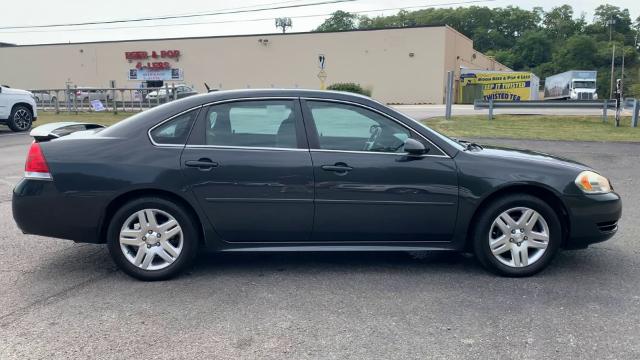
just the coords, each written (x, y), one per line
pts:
(519, 237)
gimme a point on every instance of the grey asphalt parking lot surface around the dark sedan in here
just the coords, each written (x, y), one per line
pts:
(64, 300)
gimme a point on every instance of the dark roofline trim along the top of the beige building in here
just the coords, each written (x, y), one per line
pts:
(237, 36)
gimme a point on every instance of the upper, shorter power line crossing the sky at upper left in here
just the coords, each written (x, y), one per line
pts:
(168, 17)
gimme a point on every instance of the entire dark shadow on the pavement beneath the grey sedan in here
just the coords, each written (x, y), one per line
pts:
(94, 259)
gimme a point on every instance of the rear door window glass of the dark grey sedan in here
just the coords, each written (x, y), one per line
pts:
(260, 123)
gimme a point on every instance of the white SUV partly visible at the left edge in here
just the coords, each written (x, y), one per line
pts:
(17, 108)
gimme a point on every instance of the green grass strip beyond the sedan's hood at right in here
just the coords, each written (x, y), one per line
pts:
(577, 128)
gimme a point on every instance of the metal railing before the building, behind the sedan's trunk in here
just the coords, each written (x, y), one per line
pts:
(78, 99)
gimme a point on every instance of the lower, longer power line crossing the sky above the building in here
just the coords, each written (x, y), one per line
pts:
(249, 20)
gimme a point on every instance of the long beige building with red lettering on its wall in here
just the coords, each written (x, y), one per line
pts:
(402, 66)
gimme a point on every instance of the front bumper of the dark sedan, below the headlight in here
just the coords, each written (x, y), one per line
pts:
(593, 219)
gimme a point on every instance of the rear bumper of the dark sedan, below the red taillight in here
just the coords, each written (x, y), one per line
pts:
(40, 209)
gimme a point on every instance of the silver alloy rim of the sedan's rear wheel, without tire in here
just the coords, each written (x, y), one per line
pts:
(151, 239)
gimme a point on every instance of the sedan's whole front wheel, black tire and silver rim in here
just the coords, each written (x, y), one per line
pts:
(517, 235)
